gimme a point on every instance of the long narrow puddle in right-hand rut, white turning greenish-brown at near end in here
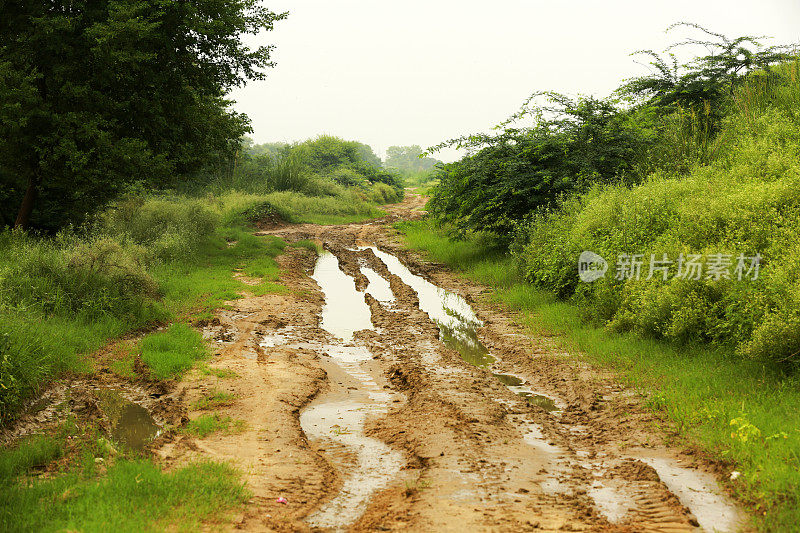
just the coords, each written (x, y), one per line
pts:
(456, 320)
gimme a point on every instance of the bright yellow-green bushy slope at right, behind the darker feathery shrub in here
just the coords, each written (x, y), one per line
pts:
(746, 199)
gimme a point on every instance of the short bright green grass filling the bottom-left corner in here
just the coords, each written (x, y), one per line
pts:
(133, 495)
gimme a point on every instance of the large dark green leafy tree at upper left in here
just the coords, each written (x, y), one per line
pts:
(97, 94)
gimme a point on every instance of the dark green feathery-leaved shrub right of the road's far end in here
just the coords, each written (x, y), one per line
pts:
(573, 144)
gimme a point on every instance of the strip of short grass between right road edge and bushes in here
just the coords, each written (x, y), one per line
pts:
(740, 410)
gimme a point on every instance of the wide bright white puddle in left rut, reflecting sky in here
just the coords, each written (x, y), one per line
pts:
(345, 310)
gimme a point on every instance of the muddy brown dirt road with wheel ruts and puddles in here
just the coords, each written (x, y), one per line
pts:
(381, 392)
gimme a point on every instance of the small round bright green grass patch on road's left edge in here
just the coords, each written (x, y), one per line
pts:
(171, 352)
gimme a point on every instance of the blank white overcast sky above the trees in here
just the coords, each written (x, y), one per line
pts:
(415, 72)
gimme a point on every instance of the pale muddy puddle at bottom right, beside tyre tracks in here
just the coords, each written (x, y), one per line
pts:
(699, 492)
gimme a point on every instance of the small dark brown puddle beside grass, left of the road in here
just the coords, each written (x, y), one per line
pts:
(131, 424)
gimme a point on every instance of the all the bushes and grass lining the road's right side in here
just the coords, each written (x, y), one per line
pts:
(698, 160)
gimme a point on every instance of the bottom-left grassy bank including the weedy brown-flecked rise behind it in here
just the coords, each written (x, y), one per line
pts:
(100, 489)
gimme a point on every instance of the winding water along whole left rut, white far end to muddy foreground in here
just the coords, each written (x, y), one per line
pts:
(336, 420)
